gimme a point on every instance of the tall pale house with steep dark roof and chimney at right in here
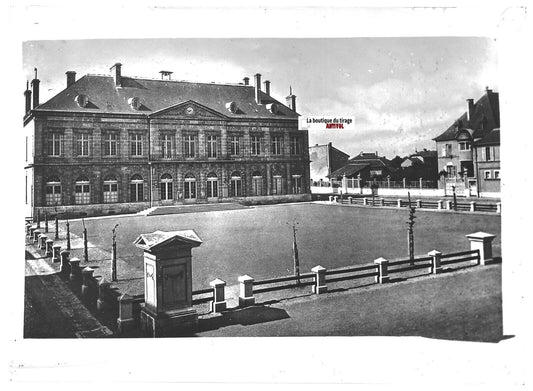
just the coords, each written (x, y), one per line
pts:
(455, 145)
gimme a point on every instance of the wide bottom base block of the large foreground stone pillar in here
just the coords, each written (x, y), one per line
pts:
(174, 323)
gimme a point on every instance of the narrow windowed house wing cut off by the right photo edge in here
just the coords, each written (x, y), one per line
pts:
(487, 151)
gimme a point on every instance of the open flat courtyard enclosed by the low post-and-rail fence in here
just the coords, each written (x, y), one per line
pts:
(258, 240)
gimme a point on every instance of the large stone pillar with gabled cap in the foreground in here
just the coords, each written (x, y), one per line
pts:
(168, 310)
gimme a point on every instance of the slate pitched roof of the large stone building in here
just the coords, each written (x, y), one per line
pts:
(155, 95)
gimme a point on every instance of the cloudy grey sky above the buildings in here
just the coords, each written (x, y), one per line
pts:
(402, 91)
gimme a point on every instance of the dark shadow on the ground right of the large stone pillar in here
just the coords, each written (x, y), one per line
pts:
(243, 316)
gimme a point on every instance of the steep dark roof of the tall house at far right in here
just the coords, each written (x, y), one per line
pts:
(486, 116)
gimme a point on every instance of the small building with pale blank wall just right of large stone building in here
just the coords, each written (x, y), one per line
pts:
(324, 160)
